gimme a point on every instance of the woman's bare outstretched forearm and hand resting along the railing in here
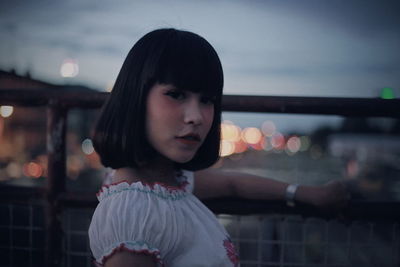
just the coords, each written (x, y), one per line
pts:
(211, 183)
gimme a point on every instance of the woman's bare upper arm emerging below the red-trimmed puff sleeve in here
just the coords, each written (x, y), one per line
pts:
(129, 259)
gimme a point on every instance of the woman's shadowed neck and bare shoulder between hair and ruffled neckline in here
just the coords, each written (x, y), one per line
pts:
(157, 171)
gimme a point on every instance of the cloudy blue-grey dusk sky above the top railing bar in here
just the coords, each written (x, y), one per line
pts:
(304, 48)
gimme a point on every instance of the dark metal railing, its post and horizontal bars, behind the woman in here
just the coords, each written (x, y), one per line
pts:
(59, 102)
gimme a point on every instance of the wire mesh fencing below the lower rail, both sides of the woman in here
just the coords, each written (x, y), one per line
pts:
(261, 240)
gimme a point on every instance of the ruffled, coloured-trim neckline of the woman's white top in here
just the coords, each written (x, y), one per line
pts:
(159, 189)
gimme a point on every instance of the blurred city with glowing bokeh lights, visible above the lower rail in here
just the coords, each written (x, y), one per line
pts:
(363, 150)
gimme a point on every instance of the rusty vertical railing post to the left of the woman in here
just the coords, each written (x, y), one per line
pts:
(56, 152)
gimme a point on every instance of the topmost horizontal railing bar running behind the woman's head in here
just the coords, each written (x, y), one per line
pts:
(371, 107)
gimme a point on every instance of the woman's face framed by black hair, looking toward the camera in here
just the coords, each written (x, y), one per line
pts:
(177, 121)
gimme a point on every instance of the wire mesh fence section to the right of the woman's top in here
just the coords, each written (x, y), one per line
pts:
(277, 240)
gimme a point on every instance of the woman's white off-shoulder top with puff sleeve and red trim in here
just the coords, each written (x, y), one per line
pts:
(168, 223)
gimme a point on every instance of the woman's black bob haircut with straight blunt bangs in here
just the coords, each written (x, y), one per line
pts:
(167, 56)
